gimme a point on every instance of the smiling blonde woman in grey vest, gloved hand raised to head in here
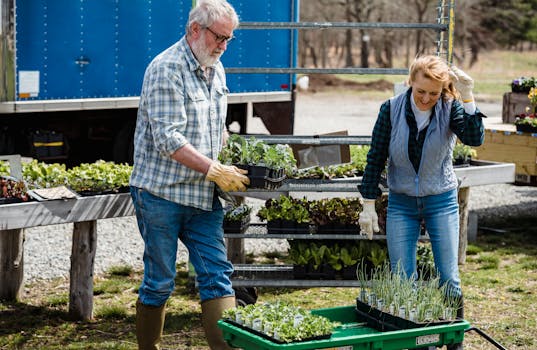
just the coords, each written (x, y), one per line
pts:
(415, 134)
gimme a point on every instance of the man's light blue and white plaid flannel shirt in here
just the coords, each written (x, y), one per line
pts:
(178, 105)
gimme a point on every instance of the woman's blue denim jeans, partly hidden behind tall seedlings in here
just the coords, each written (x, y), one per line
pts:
(440, 214)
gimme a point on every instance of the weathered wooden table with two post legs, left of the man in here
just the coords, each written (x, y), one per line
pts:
(83, 212)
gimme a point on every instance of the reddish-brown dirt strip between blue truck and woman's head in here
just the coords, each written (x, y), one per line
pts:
(320, 82)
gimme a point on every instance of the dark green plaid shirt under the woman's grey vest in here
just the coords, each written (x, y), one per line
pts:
(468, 128)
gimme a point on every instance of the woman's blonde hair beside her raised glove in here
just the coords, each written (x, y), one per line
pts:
(435, 68)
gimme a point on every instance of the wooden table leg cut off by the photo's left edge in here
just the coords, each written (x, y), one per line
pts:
(11, 263)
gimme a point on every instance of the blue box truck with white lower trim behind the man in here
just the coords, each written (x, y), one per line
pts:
(71, 71)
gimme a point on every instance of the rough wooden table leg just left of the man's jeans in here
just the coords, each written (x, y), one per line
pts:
(82, 260)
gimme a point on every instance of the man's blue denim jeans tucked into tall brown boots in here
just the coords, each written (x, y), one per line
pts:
(162, 223)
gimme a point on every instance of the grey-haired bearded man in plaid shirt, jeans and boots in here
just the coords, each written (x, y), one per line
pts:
(179, 132)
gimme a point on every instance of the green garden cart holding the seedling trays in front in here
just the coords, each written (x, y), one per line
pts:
(353, 334)
